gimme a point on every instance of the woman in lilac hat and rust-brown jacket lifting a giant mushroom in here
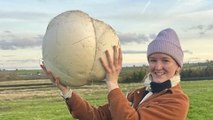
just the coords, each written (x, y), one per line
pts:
(161, 99)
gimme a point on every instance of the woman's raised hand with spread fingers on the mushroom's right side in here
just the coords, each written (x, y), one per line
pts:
(112, 67)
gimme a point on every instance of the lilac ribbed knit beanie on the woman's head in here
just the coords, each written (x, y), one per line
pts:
(167, 42)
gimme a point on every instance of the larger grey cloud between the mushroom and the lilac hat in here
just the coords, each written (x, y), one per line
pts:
(126, 38)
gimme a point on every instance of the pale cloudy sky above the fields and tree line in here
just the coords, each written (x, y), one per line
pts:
(23, 24)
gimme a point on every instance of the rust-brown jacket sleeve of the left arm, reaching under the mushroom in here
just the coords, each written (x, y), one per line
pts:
(82, 110)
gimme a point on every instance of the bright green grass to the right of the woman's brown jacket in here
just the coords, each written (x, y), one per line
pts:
(201, 99)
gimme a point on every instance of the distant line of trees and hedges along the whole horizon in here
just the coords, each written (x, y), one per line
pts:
(190, 71)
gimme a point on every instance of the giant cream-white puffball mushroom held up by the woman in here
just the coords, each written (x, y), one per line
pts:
(73, 44)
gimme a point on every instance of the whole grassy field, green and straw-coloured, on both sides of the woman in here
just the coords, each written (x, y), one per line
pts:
(44, 103)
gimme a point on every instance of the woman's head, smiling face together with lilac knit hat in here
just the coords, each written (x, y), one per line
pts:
(165, 56)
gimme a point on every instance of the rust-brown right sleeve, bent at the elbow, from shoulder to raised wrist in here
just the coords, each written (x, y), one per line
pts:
(165, 108)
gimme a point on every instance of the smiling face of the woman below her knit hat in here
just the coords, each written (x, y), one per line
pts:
(162, 67)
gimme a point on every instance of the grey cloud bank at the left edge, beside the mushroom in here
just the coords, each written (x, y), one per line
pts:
(11, 41)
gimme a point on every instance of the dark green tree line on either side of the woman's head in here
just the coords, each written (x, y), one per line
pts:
(190, 71)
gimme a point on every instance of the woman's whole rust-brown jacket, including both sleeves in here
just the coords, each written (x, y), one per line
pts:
(170, 104)
